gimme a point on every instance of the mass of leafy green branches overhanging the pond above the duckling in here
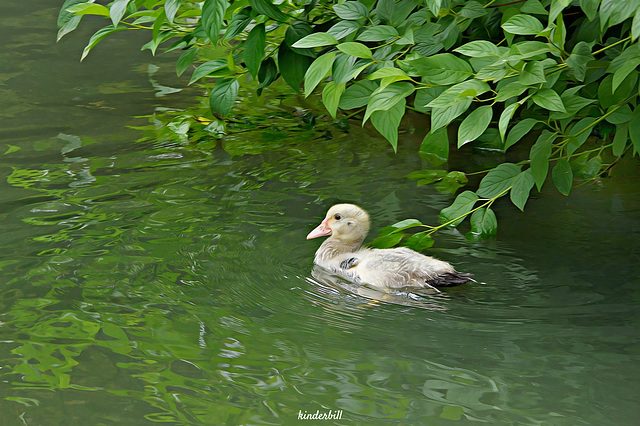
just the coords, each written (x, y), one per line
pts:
(521, 76)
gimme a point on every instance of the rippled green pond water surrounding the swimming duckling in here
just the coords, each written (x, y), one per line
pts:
(146, 281)
